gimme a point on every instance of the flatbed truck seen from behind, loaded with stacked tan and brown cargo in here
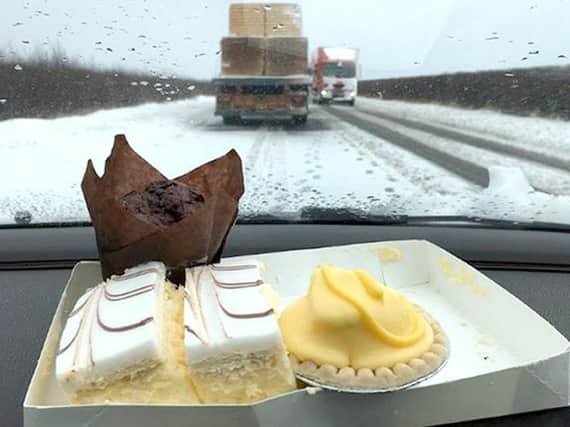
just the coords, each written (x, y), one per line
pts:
(264, 65)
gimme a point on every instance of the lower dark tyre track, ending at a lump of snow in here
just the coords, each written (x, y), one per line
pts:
(467, 170)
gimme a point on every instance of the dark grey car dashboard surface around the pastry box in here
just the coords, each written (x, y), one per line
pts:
(35, 264)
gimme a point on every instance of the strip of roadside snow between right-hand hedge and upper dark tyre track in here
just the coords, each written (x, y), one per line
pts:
(547, 136)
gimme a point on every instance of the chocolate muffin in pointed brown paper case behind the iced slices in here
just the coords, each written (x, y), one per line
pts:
(139, 215)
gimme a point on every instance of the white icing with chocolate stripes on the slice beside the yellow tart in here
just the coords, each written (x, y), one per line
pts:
(226, 312)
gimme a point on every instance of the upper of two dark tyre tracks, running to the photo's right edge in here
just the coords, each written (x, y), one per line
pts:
(474, 141)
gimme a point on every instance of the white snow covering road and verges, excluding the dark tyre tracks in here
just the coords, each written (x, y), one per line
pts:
(329, 163)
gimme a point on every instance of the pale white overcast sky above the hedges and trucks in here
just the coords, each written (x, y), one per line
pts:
(395, 37)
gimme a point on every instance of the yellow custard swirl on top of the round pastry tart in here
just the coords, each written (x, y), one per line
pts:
(349, 319)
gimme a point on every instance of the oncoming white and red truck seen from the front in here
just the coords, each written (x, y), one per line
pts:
(335, 72)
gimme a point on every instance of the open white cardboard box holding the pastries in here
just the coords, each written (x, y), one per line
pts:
(505, 358)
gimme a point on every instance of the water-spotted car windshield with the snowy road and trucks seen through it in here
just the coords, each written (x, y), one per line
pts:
(460, 109)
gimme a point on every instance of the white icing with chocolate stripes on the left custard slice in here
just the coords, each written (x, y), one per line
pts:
(112, 329)
